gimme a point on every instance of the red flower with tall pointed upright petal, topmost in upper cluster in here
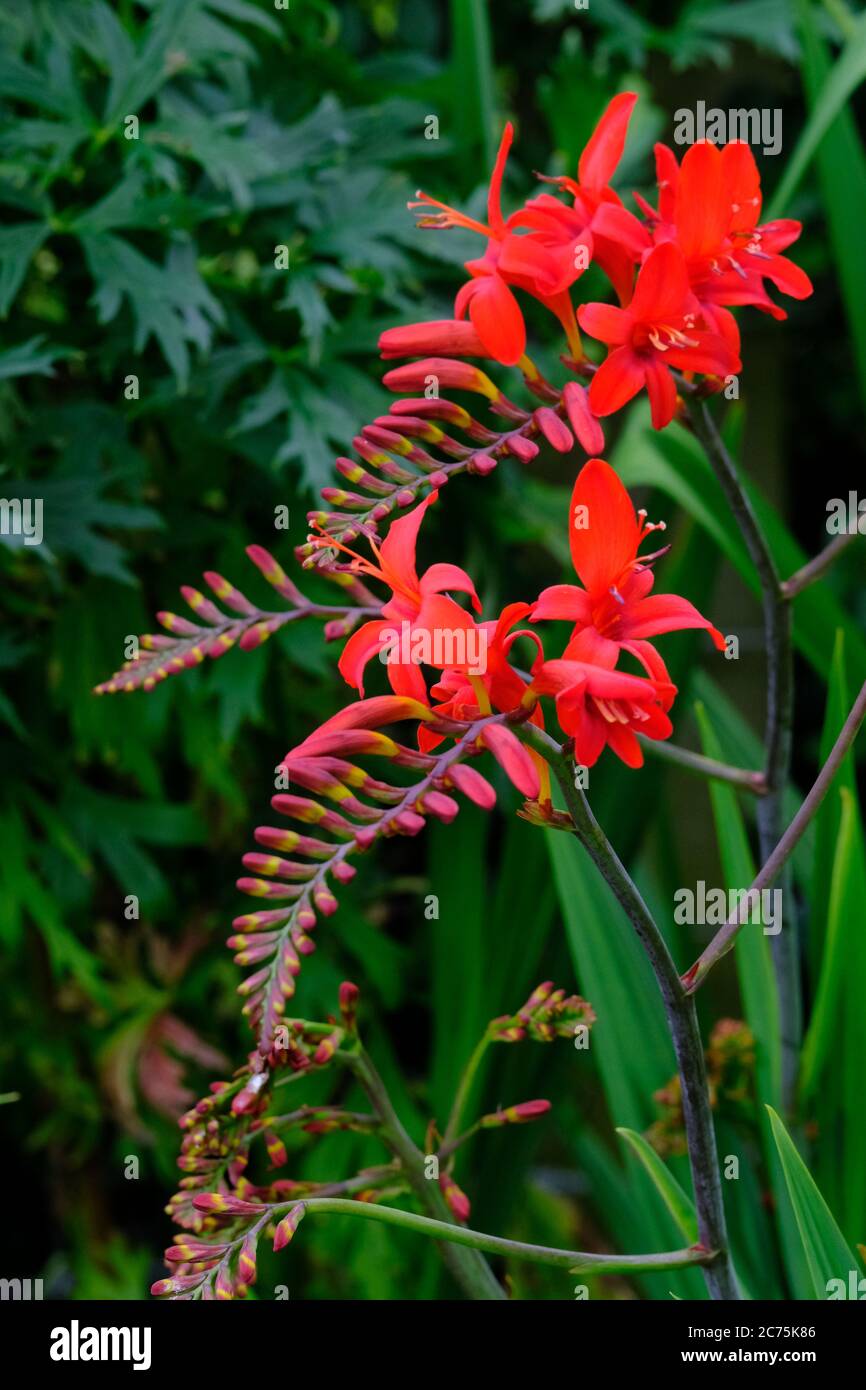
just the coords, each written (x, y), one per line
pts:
(618, 240)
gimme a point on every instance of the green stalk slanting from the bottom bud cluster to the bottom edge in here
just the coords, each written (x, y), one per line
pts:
(464, 1260)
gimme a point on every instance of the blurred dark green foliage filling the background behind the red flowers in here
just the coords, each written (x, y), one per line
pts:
(165, 387)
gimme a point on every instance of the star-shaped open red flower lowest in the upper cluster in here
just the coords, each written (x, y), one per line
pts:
(658, 332)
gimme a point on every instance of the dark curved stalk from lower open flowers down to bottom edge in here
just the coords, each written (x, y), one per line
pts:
(680, 1013)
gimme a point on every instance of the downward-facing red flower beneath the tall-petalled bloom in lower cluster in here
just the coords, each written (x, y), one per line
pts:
(603, 708)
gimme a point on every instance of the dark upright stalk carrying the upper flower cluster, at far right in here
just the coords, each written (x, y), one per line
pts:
(778, 732)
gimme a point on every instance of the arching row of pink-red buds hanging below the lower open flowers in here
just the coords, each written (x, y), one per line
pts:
(350, 811)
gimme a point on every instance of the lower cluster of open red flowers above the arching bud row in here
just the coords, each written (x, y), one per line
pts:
(612, 614)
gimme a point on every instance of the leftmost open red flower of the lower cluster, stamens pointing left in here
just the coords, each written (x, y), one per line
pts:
(419, 603)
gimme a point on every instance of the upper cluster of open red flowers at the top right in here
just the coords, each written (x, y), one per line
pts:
(676, 272)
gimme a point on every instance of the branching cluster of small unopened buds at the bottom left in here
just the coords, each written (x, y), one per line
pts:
(223, 1213)
